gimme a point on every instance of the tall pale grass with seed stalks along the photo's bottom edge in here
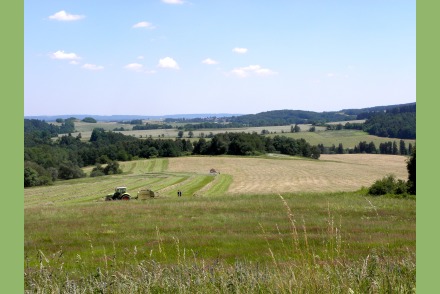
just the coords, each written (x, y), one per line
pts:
(302, 266)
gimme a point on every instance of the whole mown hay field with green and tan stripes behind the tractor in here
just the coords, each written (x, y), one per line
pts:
(238, 175)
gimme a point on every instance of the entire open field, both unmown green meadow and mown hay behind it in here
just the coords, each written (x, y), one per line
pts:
(252, 226)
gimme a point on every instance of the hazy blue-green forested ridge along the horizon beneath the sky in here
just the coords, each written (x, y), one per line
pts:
(279, 117)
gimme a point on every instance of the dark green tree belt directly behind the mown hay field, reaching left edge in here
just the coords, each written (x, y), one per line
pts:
(48, 160)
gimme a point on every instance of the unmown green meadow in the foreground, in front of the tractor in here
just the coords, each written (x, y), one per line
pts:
(302, 243)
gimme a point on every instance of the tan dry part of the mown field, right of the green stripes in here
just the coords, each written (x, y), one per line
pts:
(331, 173)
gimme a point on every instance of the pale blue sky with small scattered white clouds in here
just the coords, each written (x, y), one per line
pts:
(163, 57)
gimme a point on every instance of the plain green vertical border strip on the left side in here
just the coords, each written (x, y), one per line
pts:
(12, 106)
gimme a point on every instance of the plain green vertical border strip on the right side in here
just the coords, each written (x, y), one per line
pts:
(428, 203)
